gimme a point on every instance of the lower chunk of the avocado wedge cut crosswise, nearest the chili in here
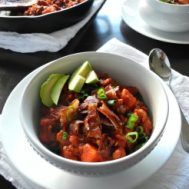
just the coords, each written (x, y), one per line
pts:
(77, 83)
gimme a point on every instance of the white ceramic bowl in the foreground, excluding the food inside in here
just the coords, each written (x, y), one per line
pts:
(121, 69)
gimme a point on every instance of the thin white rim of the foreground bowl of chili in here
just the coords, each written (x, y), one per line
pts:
(39, 147)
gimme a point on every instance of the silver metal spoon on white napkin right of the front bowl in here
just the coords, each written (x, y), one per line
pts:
(159, 63)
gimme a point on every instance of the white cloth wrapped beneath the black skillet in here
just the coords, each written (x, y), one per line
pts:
(53, 42)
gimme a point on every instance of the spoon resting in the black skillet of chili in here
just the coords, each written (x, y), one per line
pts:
(15, 4)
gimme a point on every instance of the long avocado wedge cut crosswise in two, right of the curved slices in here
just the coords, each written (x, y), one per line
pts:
(75, 80)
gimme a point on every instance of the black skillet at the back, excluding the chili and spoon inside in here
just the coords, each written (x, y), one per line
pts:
(45, 23)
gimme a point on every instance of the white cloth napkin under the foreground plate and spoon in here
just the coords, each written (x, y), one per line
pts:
(175, 173)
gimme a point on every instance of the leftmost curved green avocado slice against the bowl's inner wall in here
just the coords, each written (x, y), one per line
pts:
(46, 88)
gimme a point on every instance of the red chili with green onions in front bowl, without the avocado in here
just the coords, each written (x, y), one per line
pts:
(105, 121)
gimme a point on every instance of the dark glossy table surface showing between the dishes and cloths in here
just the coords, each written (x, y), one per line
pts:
(101, 28)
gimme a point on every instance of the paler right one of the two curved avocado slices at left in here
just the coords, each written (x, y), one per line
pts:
(57, 88)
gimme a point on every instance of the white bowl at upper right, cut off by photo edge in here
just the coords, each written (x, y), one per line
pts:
(164, 16)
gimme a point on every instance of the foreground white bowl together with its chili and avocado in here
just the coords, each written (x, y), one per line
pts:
(90, 113)
